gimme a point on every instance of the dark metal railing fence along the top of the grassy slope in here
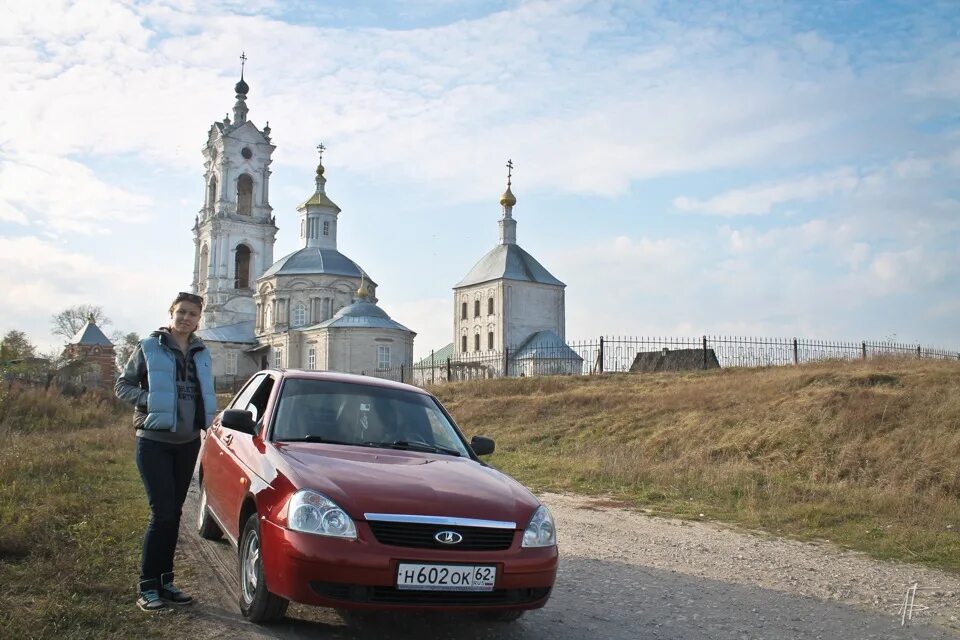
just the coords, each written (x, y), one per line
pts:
(618, 354)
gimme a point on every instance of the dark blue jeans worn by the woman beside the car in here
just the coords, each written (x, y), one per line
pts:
(166, 470)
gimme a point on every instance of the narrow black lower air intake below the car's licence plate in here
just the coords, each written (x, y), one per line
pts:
(392, 595)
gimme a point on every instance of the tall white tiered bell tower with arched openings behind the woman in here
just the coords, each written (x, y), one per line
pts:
(235, 230)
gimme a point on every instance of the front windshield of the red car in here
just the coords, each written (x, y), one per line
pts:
(365, 415)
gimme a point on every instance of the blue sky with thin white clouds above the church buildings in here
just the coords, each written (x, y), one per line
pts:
(769, 169)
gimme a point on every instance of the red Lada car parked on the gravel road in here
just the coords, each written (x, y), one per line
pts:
(359, 493)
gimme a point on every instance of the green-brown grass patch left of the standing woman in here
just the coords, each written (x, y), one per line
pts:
(72, 516)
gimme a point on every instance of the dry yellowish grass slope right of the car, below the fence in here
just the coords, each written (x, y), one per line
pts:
(866, 453)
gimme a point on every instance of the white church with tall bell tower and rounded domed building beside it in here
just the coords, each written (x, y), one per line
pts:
(312, 309)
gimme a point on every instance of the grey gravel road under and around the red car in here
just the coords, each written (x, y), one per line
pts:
(625, 575)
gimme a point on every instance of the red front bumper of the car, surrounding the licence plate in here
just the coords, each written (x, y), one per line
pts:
(361, 574)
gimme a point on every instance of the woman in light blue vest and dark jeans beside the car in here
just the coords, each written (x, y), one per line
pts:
(169, 381)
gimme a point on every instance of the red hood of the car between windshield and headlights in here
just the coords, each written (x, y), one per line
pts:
(363, 480)
